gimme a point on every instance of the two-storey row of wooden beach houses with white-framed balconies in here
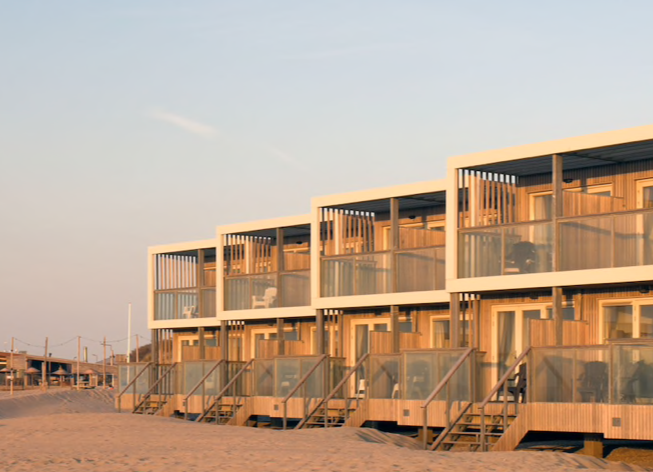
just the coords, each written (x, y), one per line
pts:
(514, 296)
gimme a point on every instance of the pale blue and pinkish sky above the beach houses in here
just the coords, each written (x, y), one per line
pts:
(125, 124)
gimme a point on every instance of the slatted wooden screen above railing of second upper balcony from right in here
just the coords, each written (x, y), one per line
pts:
(346, 231)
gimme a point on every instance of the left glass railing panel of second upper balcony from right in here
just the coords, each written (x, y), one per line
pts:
(356, 274)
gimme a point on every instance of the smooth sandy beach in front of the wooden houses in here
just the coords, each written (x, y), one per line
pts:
(70, 431)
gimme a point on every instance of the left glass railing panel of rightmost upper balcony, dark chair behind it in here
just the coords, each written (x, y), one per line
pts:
(506, 250)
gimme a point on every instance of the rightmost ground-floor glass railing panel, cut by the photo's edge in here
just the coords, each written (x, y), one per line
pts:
(632, 374)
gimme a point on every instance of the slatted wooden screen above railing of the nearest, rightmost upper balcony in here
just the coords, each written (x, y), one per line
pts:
(487, 198)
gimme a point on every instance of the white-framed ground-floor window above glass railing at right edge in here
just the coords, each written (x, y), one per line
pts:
(627, 319)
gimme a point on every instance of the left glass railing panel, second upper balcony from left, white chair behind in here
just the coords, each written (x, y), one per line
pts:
(250, 291)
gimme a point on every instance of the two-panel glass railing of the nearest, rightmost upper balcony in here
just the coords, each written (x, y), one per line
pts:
(622, 239)
